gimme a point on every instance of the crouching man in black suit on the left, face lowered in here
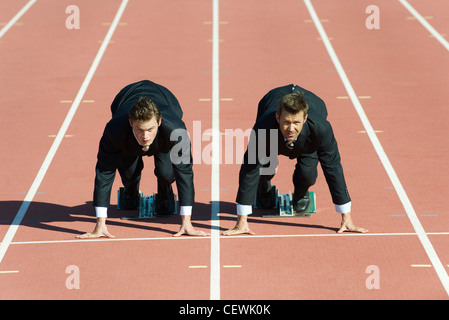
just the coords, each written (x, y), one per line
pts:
(146, 121)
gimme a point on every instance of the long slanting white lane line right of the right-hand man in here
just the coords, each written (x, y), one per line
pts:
(442, 274)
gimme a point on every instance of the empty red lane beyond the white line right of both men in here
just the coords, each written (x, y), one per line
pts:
(404, 69)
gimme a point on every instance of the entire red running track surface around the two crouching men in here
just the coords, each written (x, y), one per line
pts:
(398, 72)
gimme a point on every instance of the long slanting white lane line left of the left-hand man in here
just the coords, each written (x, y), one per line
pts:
(62, 131)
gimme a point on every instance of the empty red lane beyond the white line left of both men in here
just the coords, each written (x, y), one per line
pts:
(43, 66)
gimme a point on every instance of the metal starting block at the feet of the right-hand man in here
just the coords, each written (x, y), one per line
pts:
(284, 203)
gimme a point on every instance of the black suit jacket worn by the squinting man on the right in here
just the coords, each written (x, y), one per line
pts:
(316, 136)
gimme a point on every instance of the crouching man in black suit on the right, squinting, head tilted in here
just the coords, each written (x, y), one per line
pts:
(295, 121)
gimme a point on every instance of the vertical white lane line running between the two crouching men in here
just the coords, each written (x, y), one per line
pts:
(215, 168)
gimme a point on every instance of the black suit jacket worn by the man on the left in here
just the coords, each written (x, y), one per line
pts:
(118, 140)
